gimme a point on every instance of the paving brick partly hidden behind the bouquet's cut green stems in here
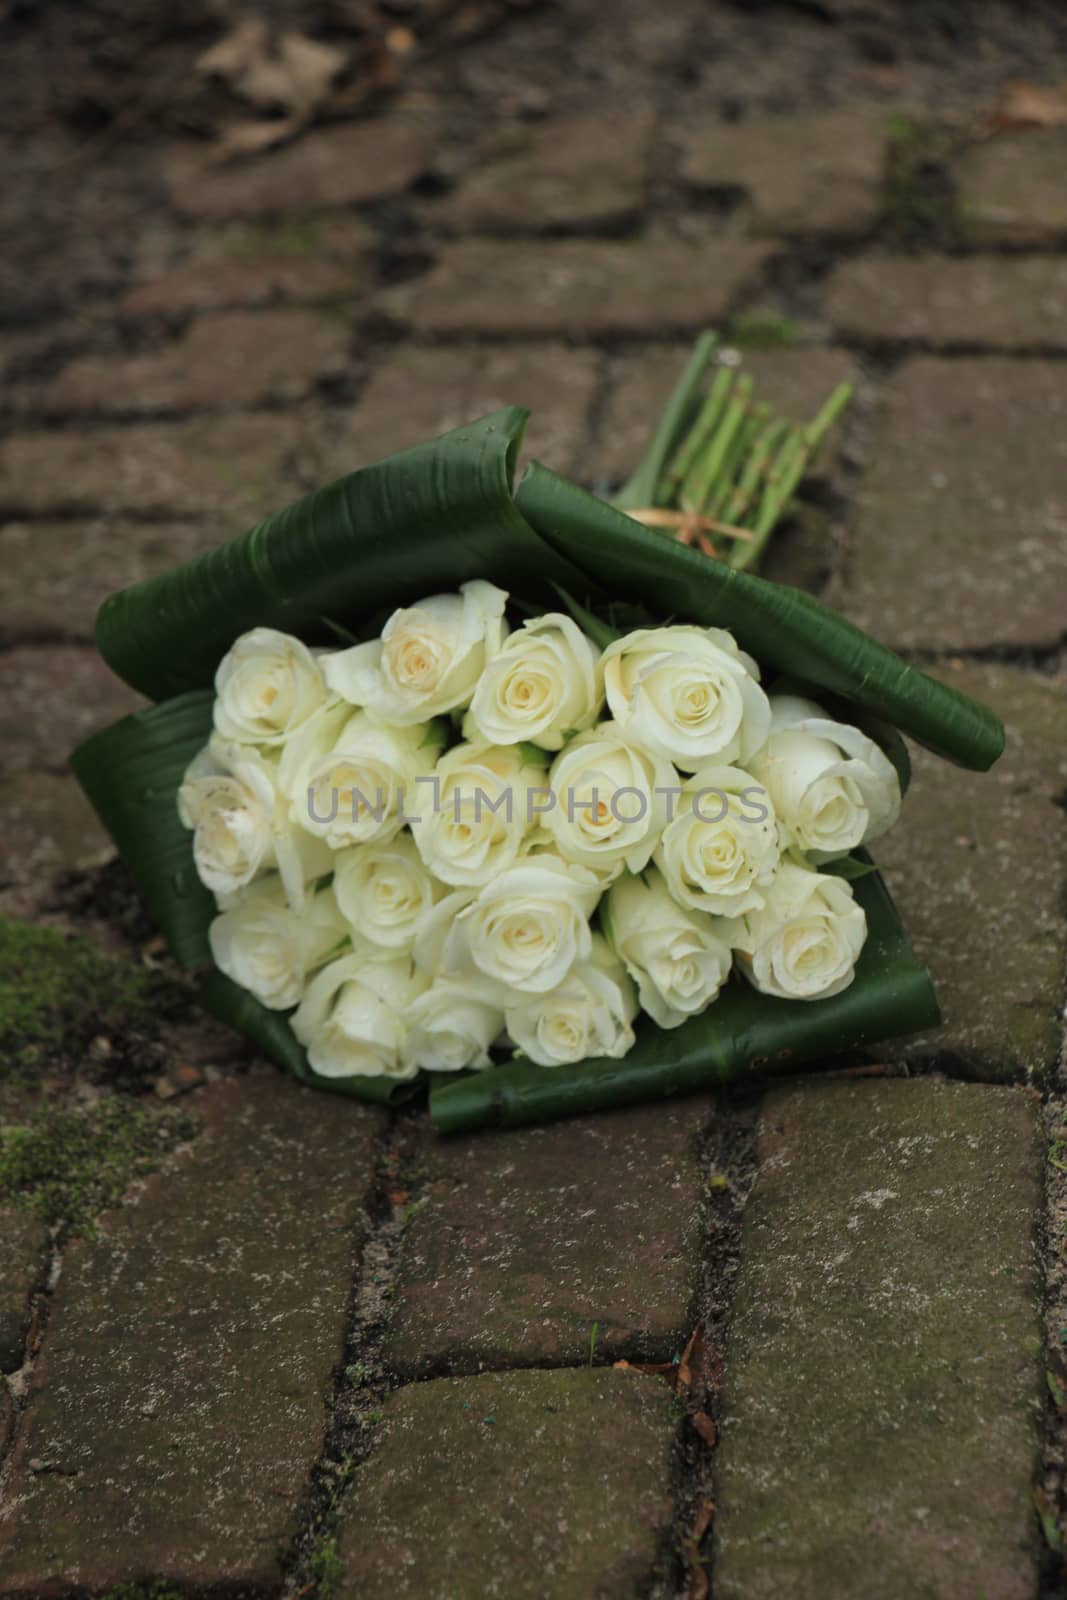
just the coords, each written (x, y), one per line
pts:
(796, 382)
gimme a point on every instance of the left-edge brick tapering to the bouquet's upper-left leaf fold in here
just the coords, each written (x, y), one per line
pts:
(54, 575)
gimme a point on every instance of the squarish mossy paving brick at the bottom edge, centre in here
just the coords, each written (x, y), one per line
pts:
(543, 1486)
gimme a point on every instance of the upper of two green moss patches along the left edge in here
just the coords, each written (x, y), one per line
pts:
(58, 993)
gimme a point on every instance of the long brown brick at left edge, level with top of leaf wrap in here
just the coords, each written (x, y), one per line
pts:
(231, 468)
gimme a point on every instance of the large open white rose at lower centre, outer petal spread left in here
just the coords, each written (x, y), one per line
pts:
(526, 930)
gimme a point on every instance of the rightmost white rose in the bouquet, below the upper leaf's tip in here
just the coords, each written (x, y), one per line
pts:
(831, 786)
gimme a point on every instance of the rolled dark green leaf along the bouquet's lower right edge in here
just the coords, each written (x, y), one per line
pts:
(743, 1034)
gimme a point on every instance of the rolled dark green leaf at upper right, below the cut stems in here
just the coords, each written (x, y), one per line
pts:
(785, 630)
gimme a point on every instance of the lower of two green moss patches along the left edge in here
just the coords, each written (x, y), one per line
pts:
(66, 1166)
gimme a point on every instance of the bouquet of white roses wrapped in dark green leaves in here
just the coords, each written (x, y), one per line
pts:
(553, 855)
